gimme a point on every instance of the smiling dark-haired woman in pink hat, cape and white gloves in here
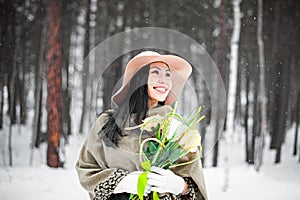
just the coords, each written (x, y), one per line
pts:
(108, 166)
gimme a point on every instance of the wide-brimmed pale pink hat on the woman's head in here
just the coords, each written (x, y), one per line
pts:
(180, 70)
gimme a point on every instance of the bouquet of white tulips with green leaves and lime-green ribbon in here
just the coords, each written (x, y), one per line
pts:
(175, 137)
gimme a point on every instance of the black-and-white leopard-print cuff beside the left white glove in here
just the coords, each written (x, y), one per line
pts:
(106, 188)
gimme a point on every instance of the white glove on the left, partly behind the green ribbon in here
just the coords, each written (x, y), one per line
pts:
(129, 184)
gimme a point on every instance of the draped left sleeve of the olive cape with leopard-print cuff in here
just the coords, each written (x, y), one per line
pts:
(94, 175)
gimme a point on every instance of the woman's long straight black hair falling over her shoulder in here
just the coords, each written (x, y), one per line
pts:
(134, 106)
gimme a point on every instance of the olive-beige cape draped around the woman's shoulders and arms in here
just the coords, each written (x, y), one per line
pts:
(98, 164)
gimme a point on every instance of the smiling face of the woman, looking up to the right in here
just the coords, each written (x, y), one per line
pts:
(159, 83)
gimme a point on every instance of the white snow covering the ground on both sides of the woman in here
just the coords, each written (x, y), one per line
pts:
(274, 182)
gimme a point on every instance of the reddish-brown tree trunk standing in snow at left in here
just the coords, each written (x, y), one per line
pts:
(54, 96)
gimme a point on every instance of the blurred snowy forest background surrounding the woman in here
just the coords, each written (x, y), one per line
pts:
(52, 88)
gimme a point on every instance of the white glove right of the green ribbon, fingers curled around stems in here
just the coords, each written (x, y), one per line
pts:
(163, 181)
